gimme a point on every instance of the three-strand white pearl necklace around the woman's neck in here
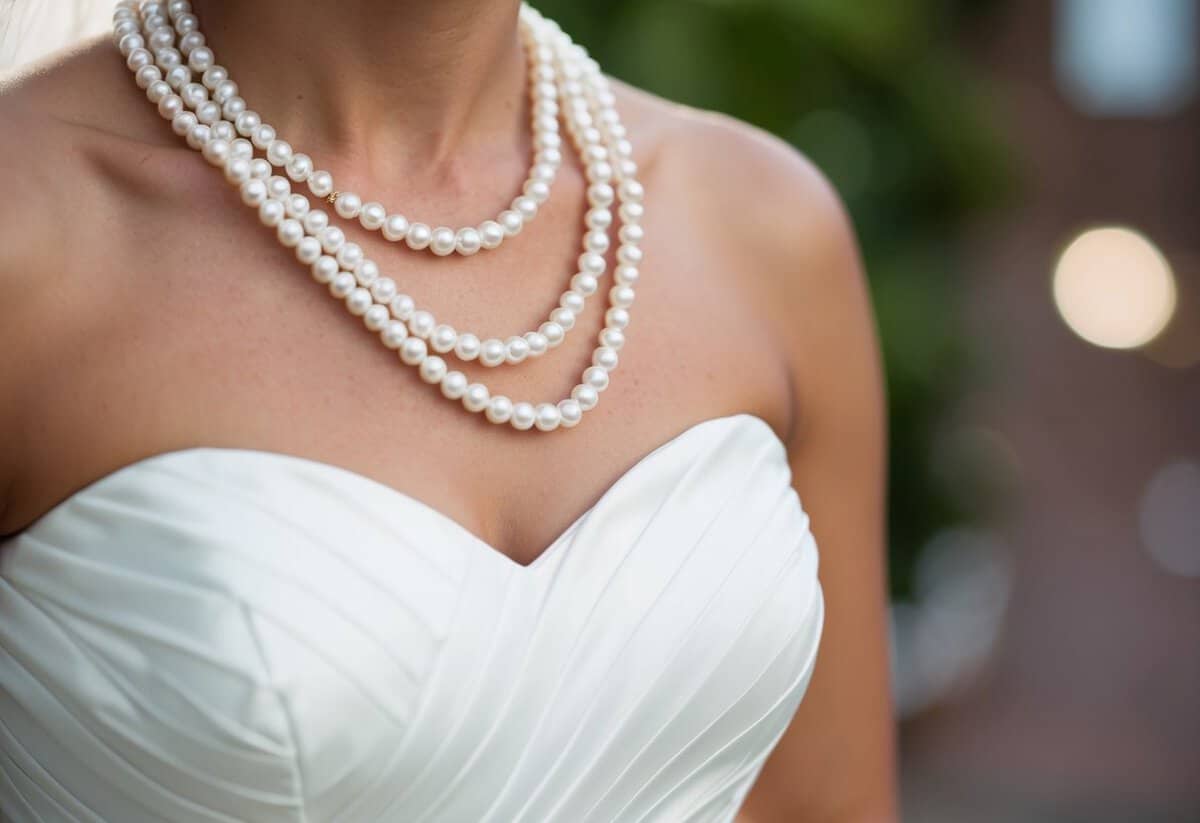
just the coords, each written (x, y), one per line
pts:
(165, 49)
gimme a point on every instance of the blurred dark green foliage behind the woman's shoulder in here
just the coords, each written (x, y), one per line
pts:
(881, 98)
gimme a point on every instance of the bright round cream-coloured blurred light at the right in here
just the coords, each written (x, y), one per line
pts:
(1114, 289)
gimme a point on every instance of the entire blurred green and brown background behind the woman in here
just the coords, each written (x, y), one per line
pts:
(1025, 181)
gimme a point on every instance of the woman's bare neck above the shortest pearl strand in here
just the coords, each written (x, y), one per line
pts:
(393, 83)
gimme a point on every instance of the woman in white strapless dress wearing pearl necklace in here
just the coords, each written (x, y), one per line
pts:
(496, 543)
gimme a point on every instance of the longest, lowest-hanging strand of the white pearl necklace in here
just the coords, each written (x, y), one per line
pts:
(220, 148)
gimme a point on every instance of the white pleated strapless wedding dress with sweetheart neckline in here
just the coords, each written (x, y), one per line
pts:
(220, 634)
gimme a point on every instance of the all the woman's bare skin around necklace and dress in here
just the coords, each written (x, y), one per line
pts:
(143, 310)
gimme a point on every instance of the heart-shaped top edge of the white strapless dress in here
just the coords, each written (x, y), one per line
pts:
(541, 560)
